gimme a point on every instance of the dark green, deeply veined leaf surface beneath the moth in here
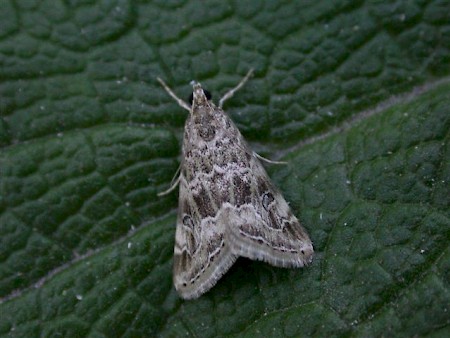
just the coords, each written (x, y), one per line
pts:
(354, 95)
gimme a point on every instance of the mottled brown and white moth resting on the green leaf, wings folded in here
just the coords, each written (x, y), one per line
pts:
(228, 207)
